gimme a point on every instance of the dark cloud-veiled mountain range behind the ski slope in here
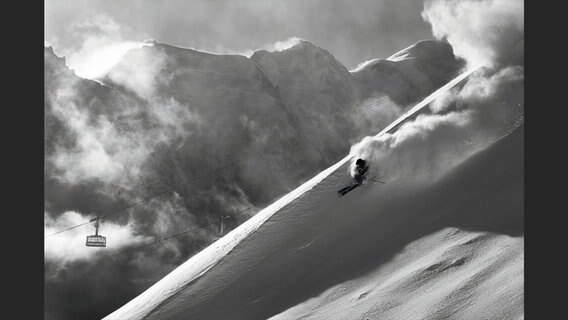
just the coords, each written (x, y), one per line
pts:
(250, 129)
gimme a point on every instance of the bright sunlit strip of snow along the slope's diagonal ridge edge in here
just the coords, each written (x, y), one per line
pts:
(199, 264)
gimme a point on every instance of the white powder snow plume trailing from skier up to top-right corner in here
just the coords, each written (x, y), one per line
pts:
(468, 117)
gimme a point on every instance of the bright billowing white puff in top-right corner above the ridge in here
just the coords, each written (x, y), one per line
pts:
(486, 32)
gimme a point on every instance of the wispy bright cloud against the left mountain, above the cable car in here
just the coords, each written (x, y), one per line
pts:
(112, 145)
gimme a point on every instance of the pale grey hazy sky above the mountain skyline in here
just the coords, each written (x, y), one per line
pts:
(353, 31)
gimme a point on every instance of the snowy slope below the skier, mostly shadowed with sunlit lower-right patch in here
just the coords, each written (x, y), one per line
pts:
(385, 251)
